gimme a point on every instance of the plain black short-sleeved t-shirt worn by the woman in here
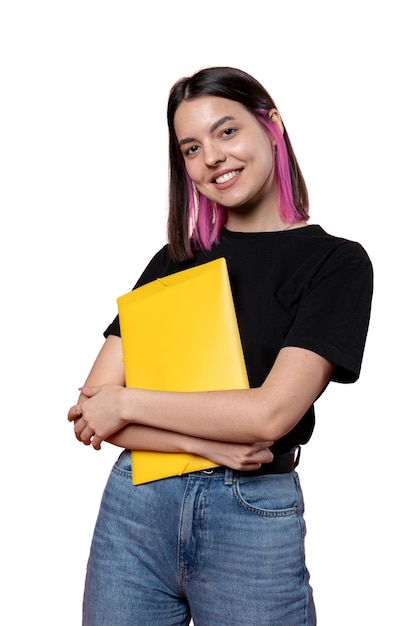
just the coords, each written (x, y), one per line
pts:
(300, 288)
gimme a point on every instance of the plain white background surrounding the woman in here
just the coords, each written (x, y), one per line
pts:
(83, 170)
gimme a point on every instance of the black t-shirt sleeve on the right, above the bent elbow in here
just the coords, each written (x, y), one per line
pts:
(333, 315)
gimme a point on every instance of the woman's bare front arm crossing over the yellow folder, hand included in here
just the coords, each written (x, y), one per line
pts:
(266, 413)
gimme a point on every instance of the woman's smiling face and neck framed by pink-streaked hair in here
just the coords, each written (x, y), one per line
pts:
(229, 157)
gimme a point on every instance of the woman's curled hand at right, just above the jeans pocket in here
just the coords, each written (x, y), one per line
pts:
(238, 456)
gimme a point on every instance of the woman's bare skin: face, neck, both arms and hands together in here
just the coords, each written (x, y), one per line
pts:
(229, 157)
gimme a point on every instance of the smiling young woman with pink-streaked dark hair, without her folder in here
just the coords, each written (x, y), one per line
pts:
(226, 546)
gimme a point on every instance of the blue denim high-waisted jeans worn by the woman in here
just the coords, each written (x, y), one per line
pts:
(219, 547)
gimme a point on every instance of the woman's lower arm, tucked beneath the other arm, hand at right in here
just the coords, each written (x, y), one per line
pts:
(108, 369)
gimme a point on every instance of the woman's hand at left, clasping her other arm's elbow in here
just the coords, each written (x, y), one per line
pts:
(98, 416)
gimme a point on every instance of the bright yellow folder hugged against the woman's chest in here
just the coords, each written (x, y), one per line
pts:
(180, 333)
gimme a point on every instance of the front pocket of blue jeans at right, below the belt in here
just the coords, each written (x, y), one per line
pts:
(273, 495)
